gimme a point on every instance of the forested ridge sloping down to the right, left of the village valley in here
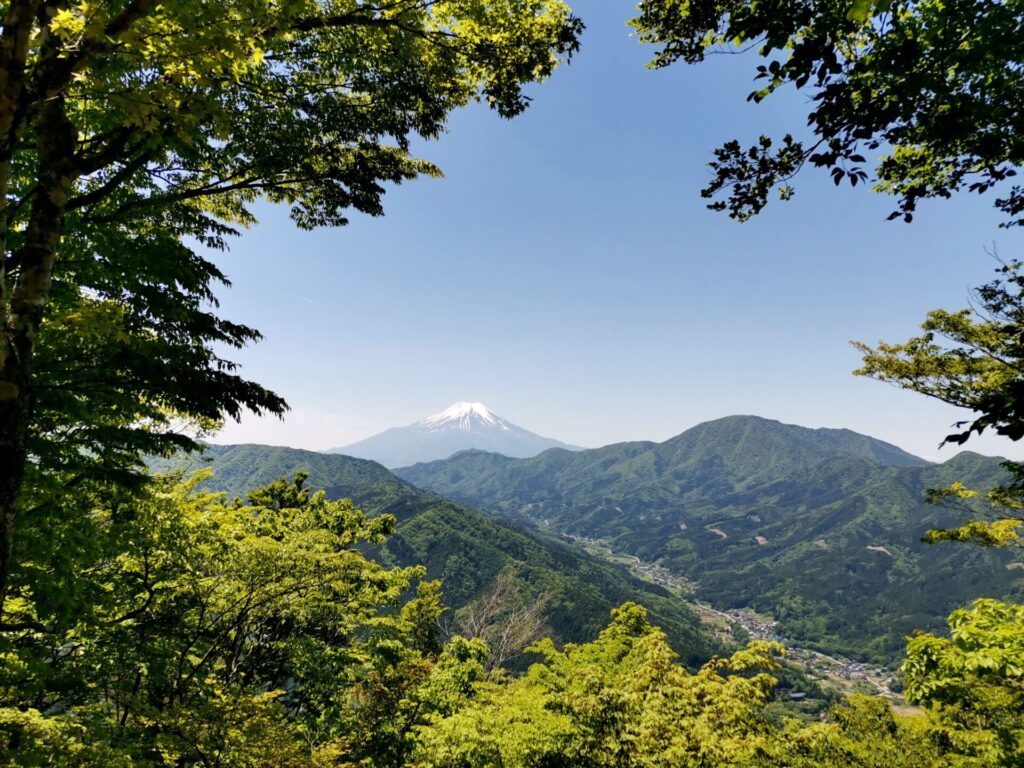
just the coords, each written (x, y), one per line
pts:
(464, 548)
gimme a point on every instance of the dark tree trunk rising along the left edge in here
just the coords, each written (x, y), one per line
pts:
(34, 263)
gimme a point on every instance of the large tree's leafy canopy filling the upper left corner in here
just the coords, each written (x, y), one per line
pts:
(180, 116)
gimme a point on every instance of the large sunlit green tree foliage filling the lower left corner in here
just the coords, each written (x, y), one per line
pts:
(208, 633)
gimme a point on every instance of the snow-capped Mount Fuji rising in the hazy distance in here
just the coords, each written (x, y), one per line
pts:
(459, 428)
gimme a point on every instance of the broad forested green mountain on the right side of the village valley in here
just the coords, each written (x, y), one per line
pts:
(821, 529)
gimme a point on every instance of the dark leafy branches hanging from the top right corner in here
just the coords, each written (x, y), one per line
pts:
(929, 91)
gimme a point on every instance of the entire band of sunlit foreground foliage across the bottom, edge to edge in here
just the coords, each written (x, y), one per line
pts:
(257, 633)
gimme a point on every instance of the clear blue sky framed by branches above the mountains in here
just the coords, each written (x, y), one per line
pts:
(567, 274)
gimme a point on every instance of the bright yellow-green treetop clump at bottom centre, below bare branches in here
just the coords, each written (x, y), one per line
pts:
(620, 701)
